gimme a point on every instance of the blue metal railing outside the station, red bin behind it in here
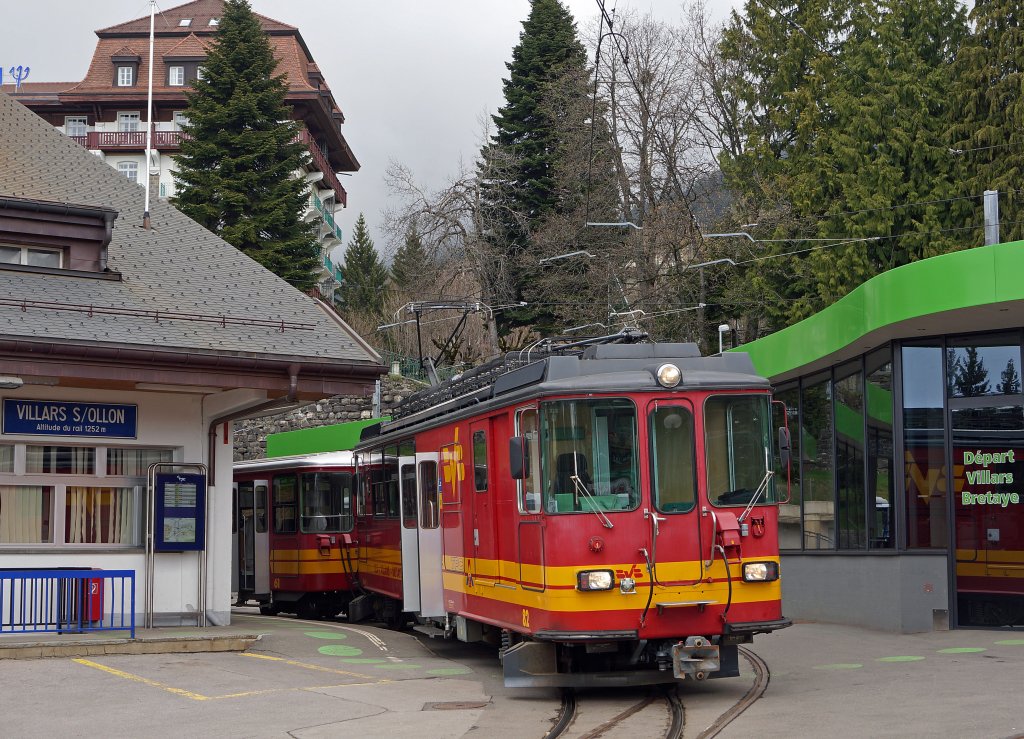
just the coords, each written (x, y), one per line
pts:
(63, 601)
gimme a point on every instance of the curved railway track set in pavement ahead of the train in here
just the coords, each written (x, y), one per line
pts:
(655, 712)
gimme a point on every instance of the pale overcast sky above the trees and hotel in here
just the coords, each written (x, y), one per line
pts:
(413, 77)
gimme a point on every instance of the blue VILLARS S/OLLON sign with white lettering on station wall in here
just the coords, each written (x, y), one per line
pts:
(58, 418)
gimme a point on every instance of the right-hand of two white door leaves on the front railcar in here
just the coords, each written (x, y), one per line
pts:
(431, 554)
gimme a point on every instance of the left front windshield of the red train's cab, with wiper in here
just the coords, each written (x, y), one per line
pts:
(589, 456)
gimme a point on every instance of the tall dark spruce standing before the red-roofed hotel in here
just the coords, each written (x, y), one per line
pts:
(239, 158)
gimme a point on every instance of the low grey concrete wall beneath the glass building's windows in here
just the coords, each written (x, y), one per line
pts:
(900, 593)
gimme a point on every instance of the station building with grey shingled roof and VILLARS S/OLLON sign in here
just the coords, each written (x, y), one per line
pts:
(122, 346)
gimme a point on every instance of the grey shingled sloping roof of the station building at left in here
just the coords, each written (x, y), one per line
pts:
(178, 267)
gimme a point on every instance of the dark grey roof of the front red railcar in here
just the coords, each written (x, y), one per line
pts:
(602, 369)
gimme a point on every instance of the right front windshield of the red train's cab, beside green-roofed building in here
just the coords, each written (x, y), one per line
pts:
(738, 445)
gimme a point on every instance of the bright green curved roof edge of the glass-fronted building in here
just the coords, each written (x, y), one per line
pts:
(979, 289)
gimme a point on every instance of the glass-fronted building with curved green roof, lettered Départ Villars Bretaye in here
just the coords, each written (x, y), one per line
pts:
(907, 413)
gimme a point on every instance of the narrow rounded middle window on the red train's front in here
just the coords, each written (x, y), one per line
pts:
(672, 459)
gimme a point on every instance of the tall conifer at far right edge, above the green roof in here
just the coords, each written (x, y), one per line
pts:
(989, 132)
